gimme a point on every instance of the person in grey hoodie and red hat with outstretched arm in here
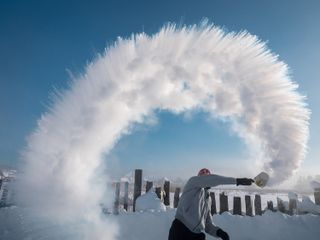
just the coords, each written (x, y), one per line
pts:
(193, 214)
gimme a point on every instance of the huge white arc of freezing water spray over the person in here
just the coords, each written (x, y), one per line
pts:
(227, 75)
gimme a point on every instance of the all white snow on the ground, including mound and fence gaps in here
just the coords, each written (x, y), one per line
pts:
(153, 220)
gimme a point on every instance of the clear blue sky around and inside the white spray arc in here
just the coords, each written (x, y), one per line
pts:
(40, 41)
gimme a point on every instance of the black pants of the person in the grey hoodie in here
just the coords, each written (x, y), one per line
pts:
(179, 231)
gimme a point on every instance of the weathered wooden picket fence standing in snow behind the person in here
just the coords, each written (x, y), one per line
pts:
(164, 195)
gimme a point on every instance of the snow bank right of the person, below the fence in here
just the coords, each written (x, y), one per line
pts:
(271, 225)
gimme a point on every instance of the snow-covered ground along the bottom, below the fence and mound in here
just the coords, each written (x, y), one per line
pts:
(15, 225)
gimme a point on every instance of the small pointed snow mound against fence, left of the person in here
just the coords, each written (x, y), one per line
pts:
(149, 202)
